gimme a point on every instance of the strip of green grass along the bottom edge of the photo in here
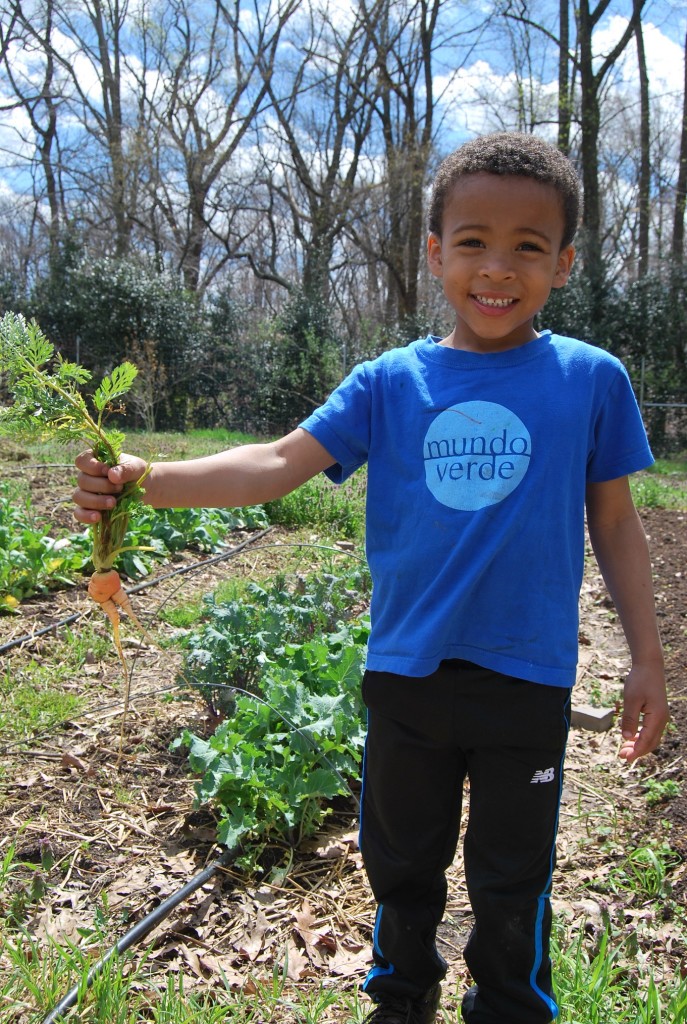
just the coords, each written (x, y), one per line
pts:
(598, 982)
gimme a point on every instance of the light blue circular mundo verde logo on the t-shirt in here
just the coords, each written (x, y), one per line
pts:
(476, 455)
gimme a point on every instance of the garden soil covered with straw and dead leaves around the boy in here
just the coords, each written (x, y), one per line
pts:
(106, 837)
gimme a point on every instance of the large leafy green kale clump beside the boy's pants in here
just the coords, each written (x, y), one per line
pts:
(285, 750)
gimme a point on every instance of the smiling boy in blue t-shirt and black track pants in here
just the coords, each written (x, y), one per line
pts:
(483, 450)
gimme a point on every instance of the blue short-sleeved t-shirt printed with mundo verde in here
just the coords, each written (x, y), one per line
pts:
(478, 466)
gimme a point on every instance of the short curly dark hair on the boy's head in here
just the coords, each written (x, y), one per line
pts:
(510, 153)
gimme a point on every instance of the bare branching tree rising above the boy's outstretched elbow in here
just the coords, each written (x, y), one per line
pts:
(323, 106)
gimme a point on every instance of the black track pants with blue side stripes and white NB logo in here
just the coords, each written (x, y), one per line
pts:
(424, 737)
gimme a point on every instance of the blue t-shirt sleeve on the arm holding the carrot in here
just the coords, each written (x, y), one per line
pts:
(342, 424)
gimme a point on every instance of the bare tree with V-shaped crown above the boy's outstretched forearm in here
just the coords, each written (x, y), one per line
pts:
(217, 65)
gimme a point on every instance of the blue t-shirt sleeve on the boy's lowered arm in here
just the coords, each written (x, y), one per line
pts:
(620, 445)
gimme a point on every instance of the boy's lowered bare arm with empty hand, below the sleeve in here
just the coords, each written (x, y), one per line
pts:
(622, 551)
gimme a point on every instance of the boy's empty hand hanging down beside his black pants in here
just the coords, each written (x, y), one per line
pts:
(646, 712)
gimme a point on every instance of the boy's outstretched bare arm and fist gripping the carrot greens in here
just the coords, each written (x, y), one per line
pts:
(247, 476)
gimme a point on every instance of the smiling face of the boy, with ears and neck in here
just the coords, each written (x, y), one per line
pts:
(499, 257)
